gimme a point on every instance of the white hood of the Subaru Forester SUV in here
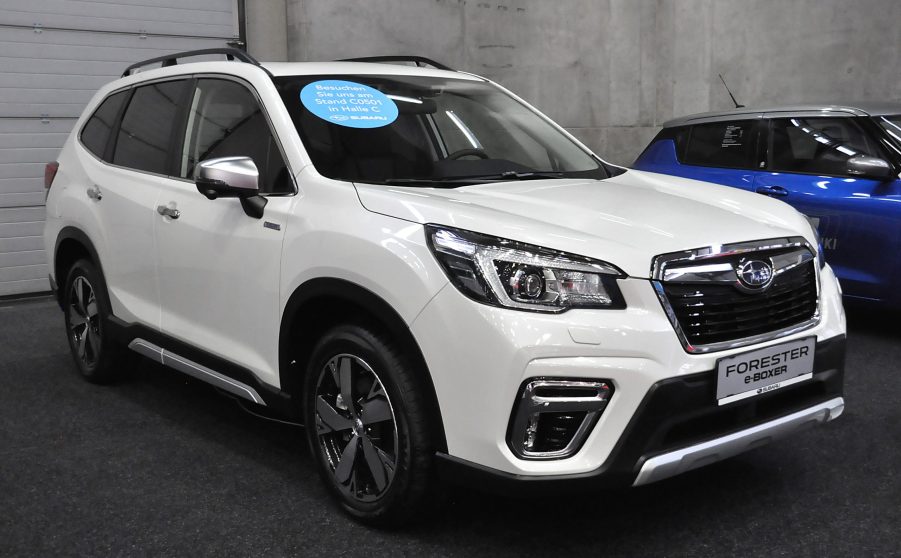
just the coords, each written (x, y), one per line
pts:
(625, 220)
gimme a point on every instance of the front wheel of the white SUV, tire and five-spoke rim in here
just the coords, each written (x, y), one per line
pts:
(374, 453)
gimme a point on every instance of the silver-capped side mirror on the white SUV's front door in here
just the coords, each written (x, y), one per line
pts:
(231, 177)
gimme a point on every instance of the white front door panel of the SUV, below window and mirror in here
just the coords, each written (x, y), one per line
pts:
(219, 276)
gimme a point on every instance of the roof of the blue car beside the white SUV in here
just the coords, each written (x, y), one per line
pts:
(870, 108)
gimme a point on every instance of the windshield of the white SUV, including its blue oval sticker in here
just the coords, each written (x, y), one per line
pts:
(428, 131)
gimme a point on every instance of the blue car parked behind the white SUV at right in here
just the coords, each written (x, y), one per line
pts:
(838, 164)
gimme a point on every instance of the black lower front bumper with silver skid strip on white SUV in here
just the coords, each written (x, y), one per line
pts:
(679, 427)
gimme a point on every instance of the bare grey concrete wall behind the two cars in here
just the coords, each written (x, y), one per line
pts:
(612, 71)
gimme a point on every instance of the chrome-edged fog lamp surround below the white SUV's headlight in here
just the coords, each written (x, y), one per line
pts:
(552, 417)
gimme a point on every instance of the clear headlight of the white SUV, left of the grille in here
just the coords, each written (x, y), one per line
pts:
(516, 275)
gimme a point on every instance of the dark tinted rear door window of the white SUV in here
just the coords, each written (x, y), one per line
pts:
(146, 131)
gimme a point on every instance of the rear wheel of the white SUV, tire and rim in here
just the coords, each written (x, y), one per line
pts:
(97, 357)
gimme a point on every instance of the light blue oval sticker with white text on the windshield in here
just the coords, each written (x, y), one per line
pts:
(350, 104)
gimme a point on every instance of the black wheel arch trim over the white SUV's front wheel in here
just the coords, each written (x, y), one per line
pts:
(329, 302)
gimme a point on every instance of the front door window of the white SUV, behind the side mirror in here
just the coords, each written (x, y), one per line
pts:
(226, 120)
